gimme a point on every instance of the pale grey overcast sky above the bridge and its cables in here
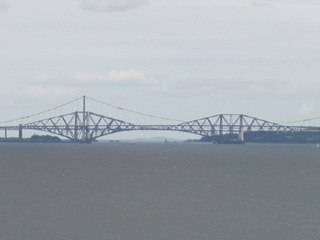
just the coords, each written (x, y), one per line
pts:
(181, 59)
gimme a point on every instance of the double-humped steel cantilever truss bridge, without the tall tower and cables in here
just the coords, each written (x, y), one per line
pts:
(82, 126)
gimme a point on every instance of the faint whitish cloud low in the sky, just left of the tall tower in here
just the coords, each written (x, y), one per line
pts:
(48, 92)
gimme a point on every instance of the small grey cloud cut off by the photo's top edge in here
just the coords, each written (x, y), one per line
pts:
(111, 5)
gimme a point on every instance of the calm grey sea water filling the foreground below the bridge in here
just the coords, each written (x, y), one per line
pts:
(158, 191)
